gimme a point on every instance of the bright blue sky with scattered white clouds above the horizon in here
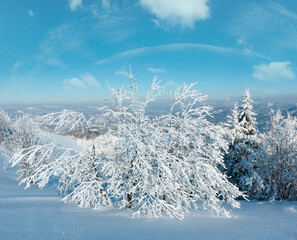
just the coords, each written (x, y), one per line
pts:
(74, 51)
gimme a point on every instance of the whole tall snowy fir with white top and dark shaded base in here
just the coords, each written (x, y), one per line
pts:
(244, 150)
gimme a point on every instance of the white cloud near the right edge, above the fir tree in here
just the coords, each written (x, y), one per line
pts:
(274, 71)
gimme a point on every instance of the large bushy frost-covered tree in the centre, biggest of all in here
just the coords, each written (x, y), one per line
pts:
(168, 164)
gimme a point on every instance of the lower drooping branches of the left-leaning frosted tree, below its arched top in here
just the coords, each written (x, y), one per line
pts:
(78, 173)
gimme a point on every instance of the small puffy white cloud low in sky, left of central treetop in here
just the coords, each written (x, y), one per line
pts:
(87, 80)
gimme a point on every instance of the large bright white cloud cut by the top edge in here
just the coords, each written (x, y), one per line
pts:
(177, 12)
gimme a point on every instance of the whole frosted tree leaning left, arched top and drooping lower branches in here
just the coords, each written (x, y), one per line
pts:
(77, 170)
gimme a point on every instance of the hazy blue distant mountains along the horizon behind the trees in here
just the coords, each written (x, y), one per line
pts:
(220, 110)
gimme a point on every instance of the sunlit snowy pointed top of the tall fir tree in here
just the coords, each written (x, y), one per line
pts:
(247, 120)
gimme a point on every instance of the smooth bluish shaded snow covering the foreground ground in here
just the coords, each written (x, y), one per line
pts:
(38, 214)
